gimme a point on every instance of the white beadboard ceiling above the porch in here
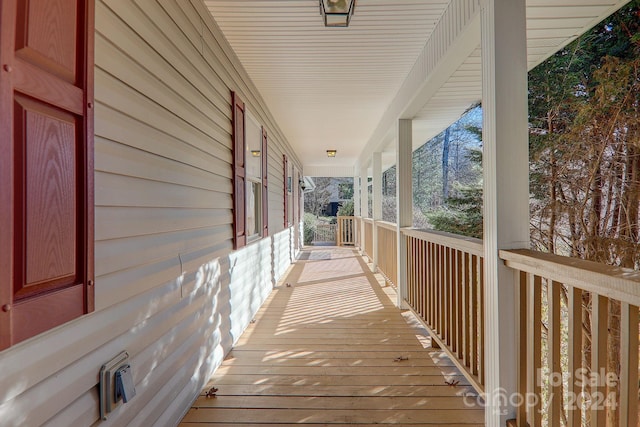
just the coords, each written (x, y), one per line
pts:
(344, 88)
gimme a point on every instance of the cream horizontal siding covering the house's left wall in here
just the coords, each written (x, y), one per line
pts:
(169, 288)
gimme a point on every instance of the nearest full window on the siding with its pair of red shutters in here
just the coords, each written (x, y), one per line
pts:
(250, 176)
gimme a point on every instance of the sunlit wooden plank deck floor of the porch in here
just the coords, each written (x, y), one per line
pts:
(332, 349)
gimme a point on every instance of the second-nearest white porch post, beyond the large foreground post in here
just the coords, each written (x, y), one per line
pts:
(404, 200)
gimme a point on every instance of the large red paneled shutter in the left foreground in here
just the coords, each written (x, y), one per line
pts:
(46, 169)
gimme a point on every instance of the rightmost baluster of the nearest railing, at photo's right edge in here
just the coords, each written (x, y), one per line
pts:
(629, 365)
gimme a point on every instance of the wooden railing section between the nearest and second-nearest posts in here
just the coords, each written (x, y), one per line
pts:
(445, 289)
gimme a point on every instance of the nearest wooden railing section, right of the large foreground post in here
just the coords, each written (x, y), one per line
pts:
(593, 309)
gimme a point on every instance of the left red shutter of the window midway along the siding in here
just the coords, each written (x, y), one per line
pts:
(239, 202)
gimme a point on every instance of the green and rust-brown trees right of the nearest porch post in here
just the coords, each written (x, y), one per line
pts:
(585, 156)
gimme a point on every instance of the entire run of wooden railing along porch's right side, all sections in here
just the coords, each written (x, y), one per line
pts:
(578, 323)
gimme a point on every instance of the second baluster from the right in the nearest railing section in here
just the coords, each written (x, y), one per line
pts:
(599, 334)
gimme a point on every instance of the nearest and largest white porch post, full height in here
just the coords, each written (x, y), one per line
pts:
(506, 191)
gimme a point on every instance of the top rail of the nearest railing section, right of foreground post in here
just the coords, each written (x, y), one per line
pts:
(618, 283)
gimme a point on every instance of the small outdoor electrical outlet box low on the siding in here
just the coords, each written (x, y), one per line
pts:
(116, 384)
